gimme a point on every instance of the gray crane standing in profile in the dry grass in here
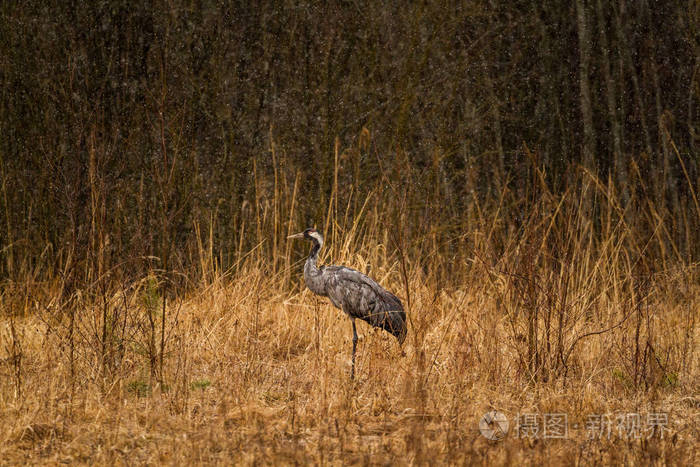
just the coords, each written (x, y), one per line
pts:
(353, 292)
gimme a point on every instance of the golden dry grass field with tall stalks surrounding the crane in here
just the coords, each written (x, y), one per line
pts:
(526, 302)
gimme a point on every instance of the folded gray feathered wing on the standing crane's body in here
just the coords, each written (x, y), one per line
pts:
(361, 297)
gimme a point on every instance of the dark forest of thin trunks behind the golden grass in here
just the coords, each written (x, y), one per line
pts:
(135, 136)
